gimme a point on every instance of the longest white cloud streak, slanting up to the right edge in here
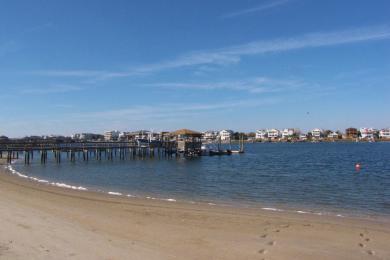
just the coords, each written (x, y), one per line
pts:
(234, 54)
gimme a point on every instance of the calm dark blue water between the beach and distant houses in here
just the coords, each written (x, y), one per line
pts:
(317, 177)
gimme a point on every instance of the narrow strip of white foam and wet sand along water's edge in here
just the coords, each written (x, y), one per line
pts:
(230, 204)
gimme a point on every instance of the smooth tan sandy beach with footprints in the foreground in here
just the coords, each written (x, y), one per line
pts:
(38, 221)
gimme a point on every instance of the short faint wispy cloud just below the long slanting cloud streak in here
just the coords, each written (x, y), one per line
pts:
(258, 85)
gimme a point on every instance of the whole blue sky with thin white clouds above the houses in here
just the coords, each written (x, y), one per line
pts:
(89, 66)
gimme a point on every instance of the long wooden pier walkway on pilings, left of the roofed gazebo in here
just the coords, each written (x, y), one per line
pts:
(85, 151)
